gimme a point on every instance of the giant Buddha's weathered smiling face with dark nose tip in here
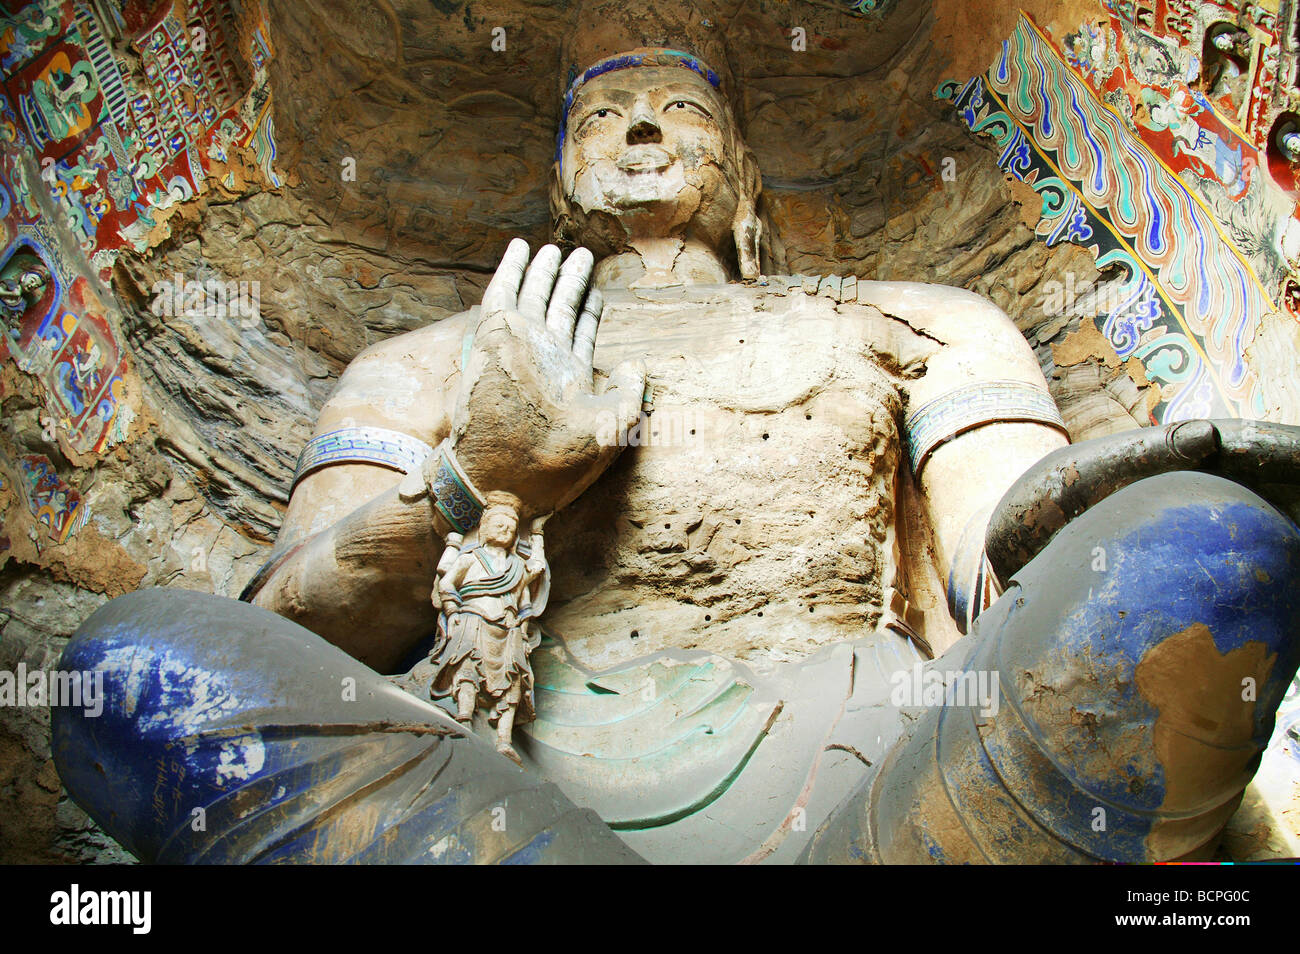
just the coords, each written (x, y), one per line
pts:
(652, 149)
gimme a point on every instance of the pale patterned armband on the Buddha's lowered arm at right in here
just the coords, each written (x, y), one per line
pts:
(974, 406)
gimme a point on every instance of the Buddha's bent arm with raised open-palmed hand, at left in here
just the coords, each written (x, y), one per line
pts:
(510, 387)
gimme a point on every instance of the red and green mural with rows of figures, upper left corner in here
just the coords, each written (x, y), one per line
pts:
(116, 146)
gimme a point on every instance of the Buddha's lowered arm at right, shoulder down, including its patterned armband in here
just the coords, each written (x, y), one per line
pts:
(980, 379)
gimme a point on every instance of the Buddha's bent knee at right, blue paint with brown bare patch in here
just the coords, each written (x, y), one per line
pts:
(1138, 664)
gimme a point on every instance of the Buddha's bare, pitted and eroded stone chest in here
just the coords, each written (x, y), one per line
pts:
(753, 505)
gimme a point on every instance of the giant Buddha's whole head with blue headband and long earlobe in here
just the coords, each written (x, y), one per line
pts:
(649, 149)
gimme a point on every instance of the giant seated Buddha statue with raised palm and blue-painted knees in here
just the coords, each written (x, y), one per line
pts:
(830, 580)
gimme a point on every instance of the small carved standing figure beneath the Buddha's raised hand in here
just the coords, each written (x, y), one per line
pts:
(488, 592)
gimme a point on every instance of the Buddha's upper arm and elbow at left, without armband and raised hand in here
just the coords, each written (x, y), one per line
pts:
(357, 560)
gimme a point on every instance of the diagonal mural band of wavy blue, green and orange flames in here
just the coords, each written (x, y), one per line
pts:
(1106, 157)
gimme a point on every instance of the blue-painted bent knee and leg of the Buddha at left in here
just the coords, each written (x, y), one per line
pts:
(228, 734)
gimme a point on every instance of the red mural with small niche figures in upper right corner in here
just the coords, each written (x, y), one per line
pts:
(1201, 85)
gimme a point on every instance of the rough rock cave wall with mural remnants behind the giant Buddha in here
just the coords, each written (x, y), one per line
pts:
(353, 171)
